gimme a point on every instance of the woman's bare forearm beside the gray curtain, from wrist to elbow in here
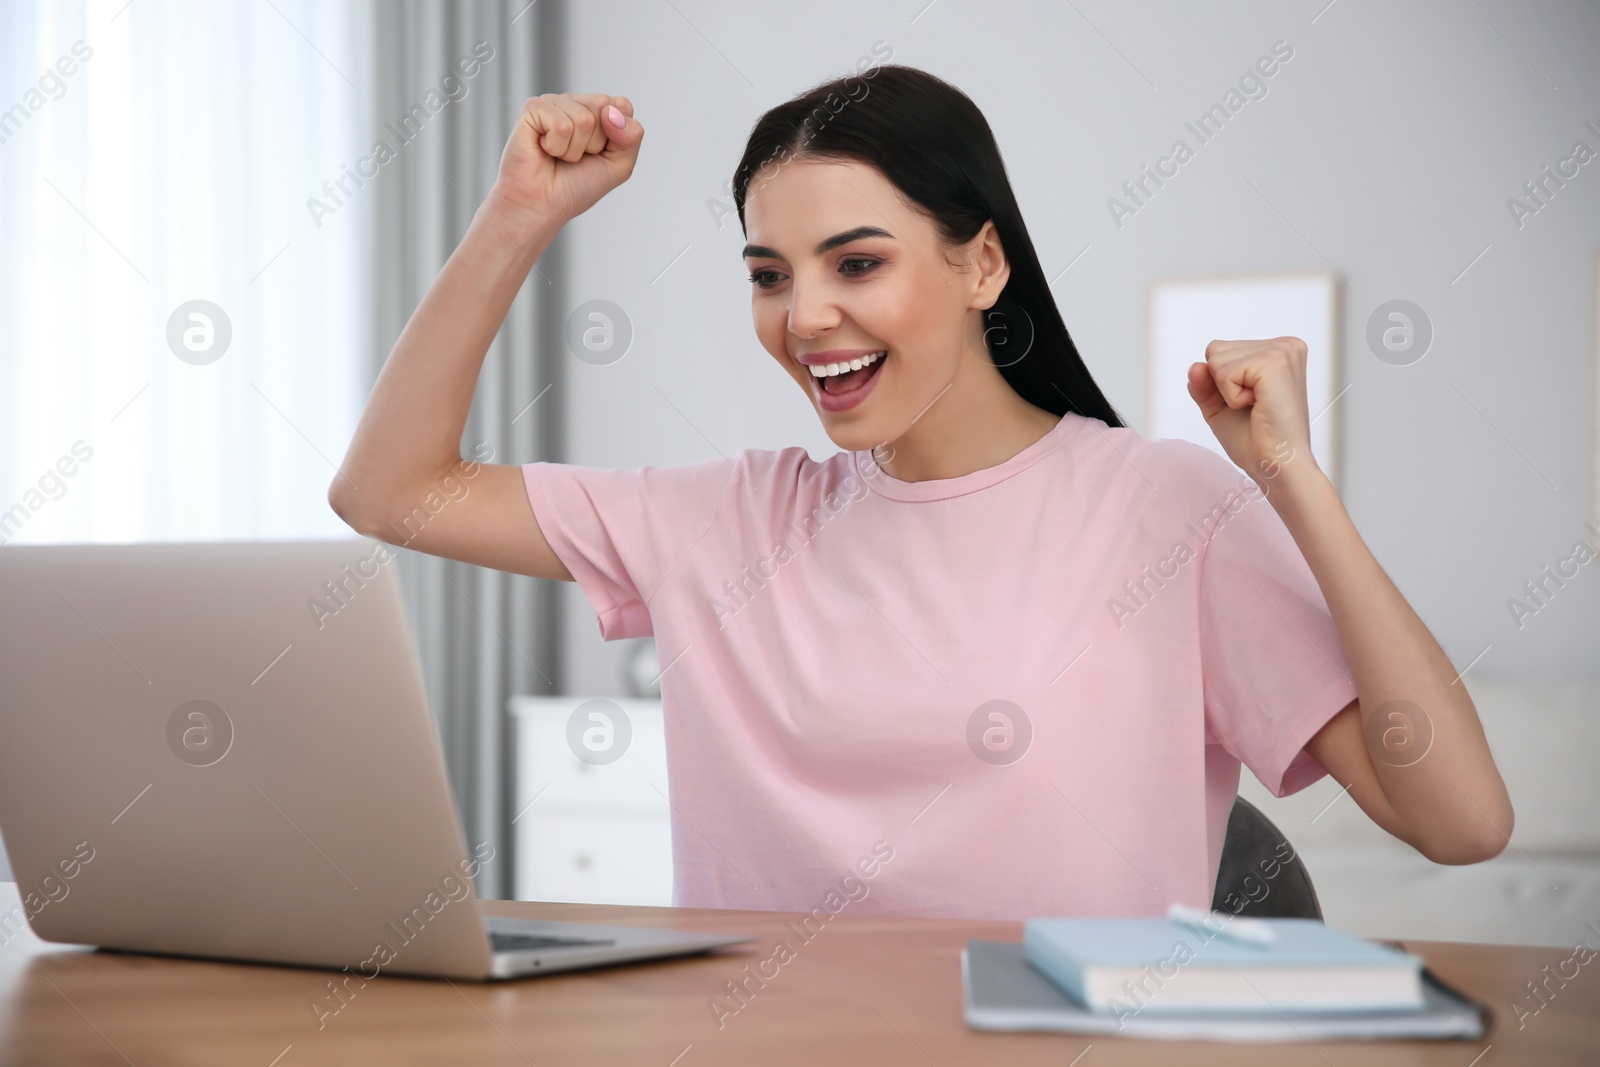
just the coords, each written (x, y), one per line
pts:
(410, 431)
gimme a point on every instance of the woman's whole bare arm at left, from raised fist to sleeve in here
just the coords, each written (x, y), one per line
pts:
(566, 153)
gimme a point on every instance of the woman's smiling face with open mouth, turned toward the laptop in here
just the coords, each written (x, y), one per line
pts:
(842, 270)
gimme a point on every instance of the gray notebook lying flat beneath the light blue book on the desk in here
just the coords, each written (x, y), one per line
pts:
(1002, 993)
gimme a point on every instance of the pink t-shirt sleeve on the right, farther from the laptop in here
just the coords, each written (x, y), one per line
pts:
(1273, 665)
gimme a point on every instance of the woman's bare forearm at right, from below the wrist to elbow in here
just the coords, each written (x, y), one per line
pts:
(1447, 797)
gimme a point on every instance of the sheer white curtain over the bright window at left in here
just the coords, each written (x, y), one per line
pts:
(154, 156)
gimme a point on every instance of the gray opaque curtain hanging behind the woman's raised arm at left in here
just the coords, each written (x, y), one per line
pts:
(482, 636)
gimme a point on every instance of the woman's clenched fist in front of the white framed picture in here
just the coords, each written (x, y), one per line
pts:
(1254, 398)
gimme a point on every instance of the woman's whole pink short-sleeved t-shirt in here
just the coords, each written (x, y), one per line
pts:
(1033, 685)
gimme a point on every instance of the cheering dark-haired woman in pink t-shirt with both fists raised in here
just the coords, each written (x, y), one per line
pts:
(999, 657)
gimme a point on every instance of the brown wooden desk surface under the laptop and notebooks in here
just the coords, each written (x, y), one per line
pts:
(865, 991)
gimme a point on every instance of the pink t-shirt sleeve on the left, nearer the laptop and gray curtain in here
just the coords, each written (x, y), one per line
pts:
(623, 532)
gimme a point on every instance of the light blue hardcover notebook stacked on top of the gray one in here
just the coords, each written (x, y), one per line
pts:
(1158, 967)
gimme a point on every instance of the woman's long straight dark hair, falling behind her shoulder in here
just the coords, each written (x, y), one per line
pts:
(935, 146)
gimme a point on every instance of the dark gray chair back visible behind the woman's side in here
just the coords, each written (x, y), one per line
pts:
(1262, 874)
